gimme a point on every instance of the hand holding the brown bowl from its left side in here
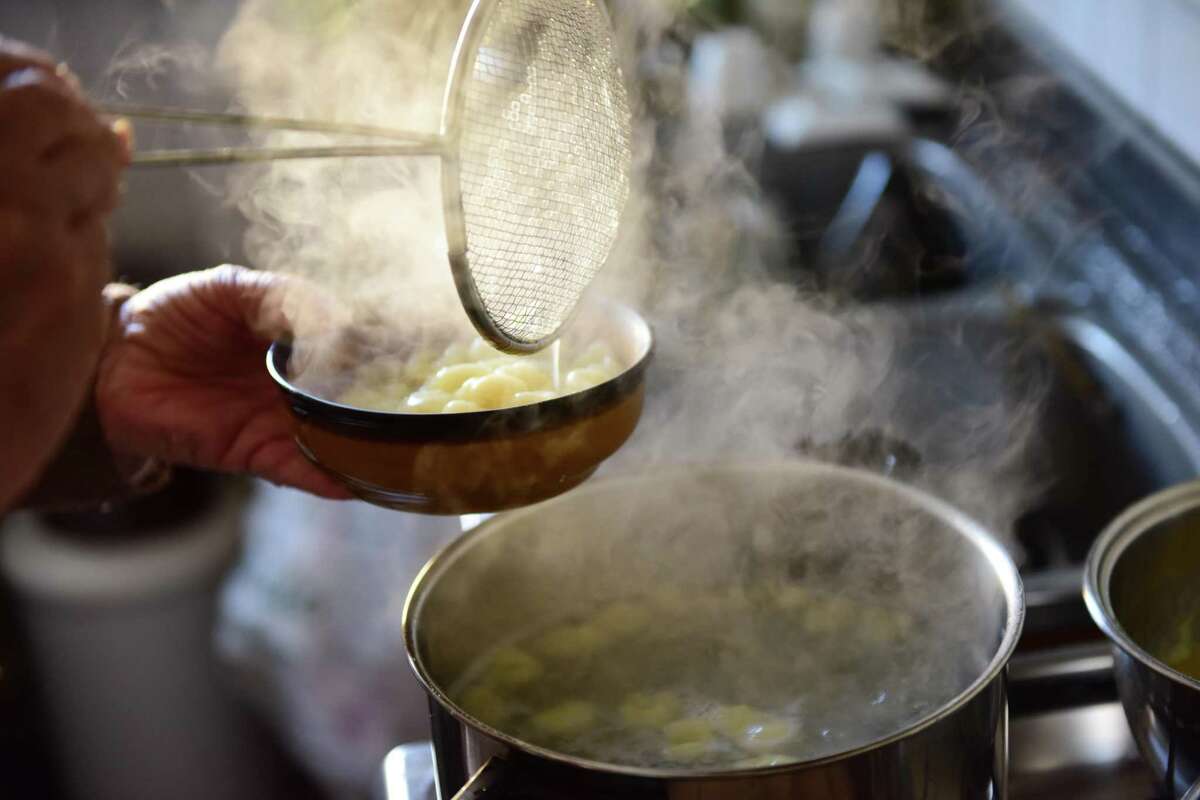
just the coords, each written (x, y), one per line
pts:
(185, 380)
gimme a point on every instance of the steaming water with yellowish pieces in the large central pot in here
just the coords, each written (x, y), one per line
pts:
(727, 678)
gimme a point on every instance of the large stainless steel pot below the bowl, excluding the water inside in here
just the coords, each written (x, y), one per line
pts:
(693, 528)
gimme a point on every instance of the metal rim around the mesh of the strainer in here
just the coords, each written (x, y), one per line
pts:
(463, 65)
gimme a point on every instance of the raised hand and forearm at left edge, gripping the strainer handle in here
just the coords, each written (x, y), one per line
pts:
(61, 166)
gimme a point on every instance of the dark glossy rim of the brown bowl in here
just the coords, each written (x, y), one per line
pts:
(471, 426)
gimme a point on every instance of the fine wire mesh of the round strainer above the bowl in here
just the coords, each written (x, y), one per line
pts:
(545, 161)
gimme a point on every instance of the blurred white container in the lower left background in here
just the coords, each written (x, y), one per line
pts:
(122, 636)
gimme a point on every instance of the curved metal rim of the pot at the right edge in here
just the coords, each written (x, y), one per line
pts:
(1106, 555)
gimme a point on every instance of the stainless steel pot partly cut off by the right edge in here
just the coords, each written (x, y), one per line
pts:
(1139, 586)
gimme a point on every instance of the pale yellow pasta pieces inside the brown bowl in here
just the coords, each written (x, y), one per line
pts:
(475, 377)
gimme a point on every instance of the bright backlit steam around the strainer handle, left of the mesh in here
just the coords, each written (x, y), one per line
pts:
(370, 231)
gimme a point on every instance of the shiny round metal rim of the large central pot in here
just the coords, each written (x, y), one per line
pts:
(1004, 568)
